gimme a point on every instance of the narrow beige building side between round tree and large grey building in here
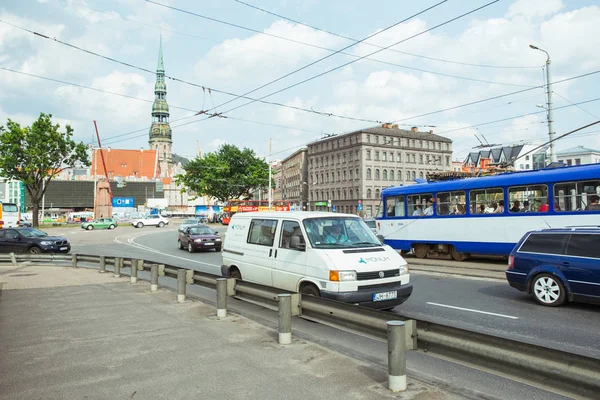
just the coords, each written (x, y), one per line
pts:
(294, 179)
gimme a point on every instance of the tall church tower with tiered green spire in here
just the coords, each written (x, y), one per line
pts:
(161, 135)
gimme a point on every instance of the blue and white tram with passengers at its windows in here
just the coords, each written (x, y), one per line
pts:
(487, 215)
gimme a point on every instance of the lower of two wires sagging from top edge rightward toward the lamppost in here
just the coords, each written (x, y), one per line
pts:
(331, 50)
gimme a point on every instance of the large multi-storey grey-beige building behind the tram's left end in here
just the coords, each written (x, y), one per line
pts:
(346, 173)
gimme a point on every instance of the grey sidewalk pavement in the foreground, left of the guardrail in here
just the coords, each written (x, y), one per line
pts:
(70, 333)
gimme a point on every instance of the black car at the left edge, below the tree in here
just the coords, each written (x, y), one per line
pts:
(31, 240)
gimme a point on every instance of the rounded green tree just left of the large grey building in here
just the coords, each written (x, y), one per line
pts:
(229, 173)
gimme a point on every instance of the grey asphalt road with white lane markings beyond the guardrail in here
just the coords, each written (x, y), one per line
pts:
(484, 305)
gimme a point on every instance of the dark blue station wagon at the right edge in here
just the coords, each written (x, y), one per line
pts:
(557, 265)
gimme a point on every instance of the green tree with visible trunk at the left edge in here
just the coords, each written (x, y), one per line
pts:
(36, 154)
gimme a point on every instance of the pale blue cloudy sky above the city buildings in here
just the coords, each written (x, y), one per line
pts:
(482, 55)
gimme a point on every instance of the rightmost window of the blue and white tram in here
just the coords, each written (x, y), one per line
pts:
(577, 196)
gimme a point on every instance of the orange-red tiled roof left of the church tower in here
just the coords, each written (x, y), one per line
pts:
(126, 163)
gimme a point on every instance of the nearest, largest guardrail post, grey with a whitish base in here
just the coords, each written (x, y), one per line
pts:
(396, 356)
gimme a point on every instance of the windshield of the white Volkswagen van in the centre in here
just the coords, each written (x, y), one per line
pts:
(339, 232)
